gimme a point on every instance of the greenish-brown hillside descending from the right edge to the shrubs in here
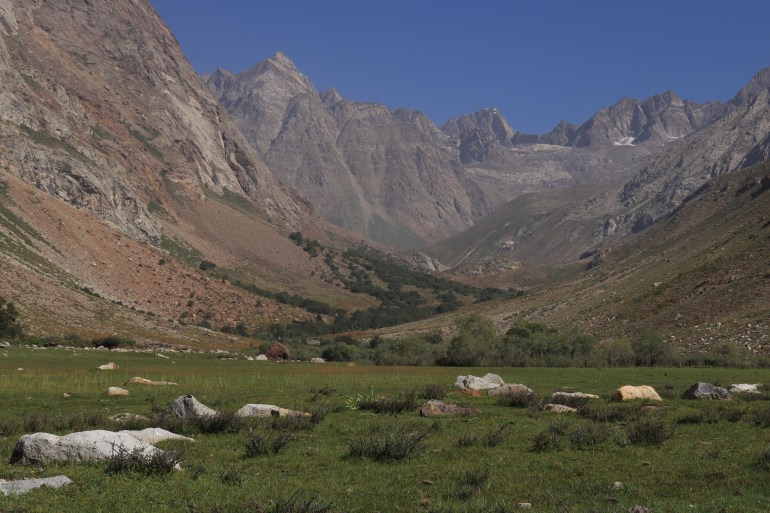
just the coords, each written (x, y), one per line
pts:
(699, 277)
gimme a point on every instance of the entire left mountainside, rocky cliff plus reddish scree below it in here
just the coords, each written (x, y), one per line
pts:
(119, 173)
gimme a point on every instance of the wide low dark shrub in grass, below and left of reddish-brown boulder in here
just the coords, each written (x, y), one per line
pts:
(389, 446)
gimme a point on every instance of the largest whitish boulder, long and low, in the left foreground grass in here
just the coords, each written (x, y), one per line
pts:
(83, 446)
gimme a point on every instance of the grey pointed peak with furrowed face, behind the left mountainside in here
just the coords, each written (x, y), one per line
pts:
(388, 175)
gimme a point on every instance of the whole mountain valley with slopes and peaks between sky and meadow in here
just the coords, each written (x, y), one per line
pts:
(141, 200)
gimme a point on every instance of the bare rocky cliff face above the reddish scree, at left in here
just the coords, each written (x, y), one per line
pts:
(100, 109)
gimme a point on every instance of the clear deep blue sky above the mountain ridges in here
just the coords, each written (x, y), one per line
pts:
(538, 61)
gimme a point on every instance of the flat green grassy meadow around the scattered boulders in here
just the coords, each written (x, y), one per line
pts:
(711, 463)
